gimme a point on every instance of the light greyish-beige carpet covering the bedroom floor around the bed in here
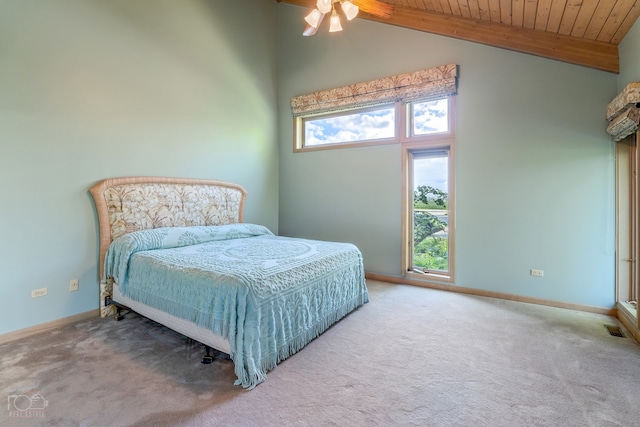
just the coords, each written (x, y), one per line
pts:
(411, 356)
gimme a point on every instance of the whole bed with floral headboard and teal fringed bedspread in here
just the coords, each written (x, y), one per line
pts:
(177, 251)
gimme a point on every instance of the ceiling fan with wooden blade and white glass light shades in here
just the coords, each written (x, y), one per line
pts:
(350, 10)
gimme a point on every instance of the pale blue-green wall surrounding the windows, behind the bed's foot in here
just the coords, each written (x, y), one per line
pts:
(534, 165)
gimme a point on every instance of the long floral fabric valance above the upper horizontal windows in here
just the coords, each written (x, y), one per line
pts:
(427, 84)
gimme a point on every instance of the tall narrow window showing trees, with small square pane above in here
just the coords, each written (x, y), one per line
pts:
(428, 191)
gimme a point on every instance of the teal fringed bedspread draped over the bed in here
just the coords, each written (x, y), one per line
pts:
(267, 295)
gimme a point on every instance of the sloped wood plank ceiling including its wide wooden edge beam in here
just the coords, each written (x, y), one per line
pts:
(583, 32)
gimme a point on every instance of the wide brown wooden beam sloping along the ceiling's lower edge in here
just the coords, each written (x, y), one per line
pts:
(589, 53)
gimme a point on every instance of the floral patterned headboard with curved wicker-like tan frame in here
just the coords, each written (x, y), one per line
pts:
(139, 203)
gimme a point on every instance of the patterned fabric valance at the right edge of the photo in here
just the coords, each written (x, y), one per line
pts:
(623, 112)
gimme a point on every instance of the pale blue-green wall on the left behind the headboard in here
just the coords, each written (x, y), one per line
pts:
(105, 88)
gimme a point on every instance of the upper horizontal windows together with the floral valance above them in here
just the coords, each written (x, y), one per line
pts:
(382, 111)
